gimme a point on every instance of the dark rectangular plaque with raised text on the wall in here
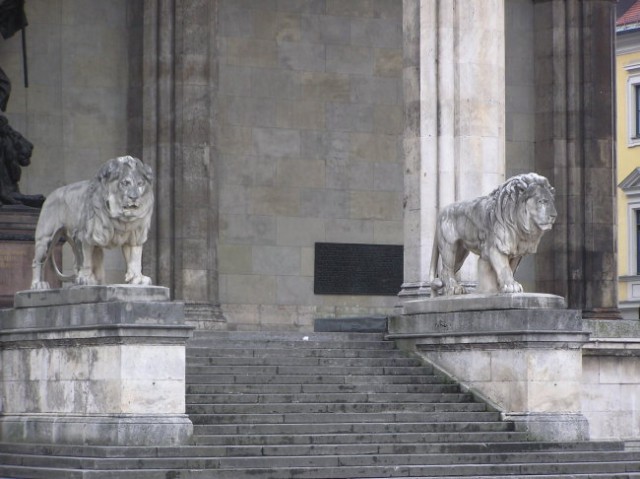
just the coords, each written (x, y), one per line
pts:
(359, 269)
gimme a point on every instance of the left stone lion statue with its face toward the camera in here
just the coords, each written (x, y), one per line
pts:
(112, 209)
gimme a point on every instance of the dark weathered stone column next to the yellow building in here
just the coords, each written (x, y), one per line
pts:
(575, 150)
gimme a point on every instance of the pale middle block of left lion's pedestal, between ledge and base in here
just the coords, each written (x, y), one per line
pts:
(99, 379)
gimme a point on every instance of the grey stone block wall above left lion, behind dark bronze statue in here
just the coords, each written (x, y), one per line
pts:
(75, 108)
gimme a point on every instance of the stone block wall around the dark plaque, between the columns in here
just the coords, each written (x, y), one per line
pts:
(310, 113)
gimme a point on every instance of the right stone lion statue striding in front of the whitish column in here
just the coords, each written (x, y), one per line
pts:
(500, 228)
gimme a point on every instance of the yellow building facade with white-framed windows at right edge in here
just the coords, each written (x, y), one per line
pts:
(628, 164)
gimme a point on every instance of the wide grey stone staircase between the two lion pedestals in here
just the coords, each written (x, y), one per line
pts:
(325, 405)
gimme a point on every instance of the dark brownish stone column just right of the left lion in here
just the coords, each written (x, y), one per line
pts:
(175, 99)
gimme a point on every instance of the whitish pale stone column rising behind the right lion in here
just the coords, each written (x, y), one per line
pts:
(454, 83)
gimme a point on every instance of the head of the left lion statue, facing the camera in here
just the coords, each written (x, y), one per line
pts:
(127, 184)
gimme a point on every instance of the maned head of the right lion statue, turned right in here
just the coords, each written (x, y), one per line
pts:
(524, 210)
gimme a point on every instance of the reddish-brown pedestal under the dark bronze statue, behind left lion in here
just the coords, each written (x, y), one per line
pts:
(17, 228)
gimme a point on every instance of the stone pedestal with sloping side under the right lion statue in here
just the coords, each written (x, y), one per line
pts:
(519, 352)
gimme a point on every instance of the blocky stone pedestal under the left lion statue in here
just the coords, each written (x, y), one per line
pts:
(102, 365)
